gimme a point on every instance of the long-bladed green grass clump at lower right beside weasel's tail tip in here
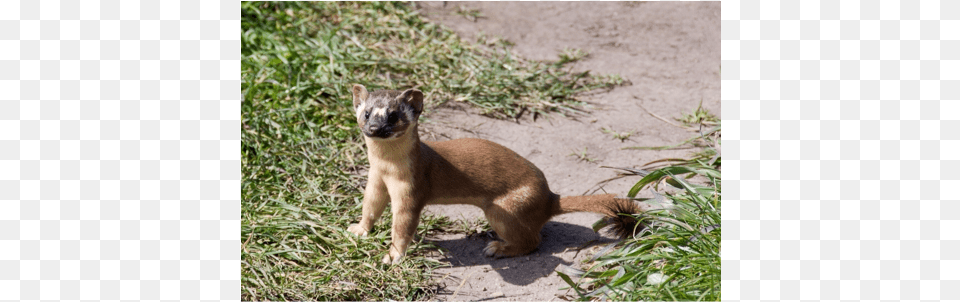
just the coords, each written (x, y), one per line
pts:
(677, 257)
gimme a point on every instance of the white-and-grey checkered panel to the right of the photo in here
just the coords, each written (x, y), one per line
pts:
(842, 164)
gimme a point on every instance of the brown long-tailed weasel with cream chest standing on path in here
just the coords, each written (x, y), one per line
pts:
(410, 174)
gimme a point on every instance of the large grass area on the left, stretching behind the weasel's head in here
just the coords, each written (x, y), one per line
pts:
(302, 159)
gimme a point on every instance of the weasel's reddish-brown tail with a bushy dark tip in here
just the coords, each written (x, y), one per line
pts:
(622, 226)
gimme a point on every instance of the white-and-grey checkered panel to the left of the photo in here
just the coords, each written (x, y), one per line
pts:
(119, 139)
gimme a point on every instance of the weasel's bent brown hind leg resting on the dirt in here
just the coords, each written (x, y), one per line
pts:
(519, 238)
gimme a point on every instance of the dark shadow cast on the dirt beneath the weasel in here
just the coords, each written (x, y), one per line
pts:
(557, 237)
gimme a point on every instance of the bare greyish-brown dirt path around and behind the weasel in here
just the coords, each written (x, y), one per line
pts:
(669, 52)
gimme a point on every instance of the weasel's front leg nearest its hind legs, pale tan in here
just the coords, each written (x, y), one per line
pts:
(406, 216)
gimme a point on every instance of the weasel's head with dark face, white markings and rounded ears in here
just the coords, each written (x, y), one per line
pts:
(386, 114)
